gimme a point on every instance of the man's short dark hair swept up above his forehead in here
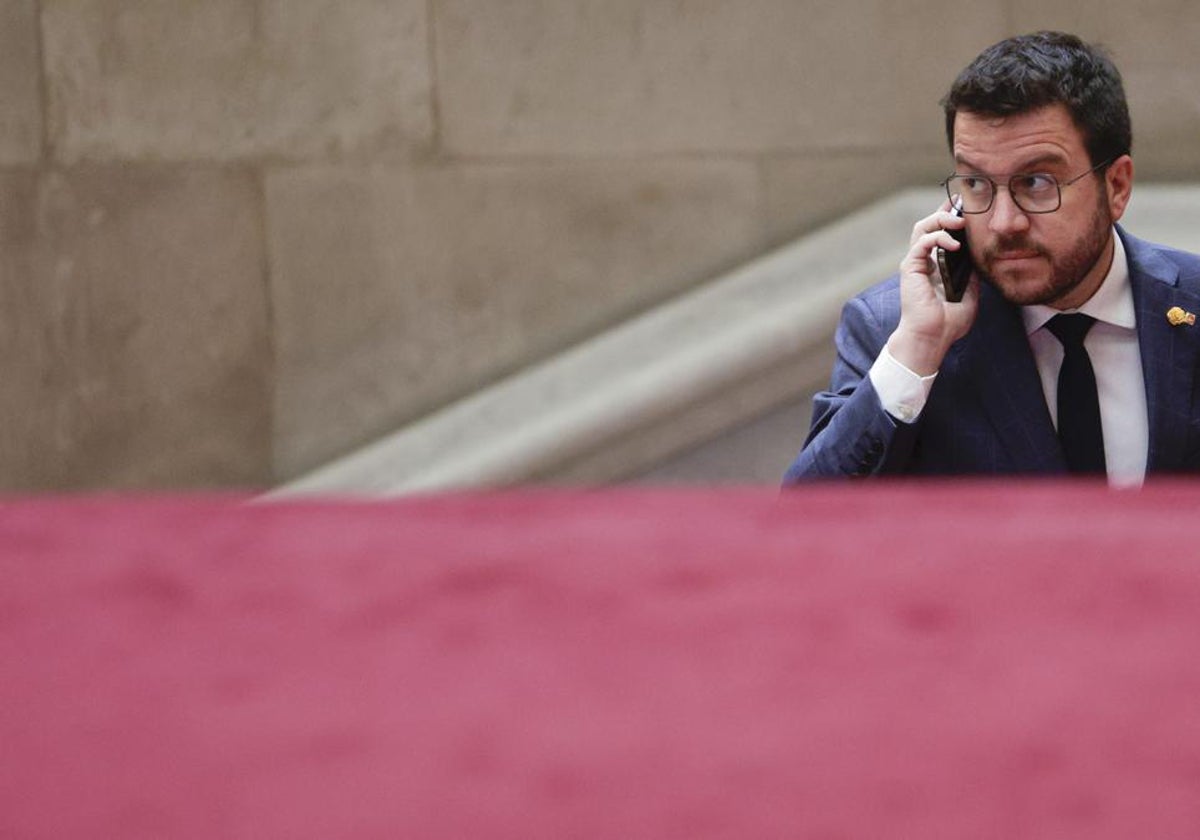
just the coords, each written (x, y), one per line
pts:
(1045, 69)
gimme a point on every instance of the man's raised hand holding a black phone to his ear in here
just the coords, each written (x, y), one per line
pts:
(928, 323)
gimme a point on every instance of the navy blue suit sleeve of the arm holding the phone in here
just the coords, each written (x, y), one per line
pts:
(851, 434)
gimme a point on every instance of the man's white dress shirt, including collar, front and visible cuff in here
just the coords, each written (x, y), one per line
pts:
(1113, 347)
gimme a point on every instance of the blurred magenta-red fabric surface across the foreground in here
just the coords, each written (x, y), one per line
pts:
(872, 661)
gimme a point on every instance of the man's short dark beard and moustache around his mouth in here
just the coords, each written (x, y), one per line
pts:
(1067, 271)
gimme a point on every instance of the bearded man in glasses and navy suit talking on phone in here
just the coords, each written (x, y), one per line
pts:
(995, 383)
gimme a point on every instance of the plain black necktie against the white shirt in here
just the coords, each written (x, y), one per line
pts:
(1079, 409)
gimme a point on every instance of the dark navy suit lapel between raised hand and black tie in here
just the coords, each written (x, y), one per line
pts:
(998, 359)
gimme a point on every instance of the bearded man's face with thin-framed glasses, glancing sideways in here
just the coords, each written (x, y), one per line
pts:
(1058, 259)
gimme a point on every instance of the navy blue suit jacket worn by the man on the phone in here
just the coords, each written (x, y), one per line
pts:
(987, 413)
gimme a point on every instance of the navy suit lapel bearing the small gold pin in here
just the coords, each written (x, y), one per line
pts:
(1169, 353)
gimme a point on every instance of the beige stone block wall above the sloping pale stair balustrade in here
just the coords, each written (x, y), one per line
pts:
(242, 237)
